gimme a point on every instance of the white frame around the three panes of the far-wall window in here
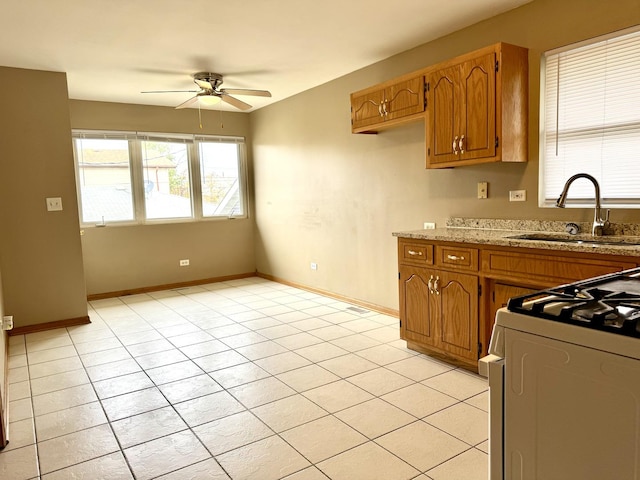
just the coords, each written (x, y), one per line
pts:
(137, 176)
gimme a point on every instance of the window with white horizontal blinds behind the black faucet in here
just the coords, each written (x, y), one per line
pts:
(590, 120)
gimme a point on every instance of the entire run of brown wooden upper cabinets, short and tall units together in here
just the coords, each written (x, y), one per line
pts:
(475, 107)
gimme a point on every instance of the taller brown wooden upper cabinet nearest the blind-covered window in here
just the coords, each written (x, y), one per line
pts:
(477, 108)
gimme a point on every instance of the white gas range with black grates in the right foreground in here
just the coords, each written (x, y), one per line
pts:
(564, 378)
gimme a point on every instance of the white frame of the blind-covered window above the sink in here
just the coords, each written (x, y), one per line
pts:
(543, 201)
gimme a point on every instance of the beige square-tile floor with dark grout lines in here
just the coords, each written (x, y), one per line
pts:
(245, 379)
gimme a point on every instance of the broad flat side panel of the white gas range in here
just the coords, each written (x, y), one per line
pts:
(570, 411)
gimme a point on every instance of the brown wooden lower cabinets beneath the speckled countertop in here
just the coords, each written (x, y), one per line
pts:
(450, 292)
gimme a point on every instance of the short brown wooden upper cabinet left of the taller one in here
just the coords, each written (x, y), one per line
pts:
(388, 104)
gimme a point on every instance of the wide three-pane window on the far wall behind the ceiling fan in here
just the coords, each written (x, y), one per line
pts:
(126, 177)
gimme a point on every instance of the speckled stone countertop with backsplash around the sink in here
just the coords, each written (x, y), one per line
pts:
(500, 232)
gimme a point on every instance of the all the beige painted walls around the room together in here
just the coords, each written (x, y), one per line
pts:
(321, 194)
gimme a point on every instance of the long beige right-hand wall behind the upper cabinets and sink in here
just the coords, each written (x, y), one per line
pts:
(324, 195)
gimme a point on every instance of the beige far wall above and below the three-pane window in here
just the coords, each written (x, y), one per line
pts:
(118, 258)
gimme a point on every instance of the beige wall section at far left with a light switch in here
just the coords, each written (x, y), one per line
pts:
(40, 251)
